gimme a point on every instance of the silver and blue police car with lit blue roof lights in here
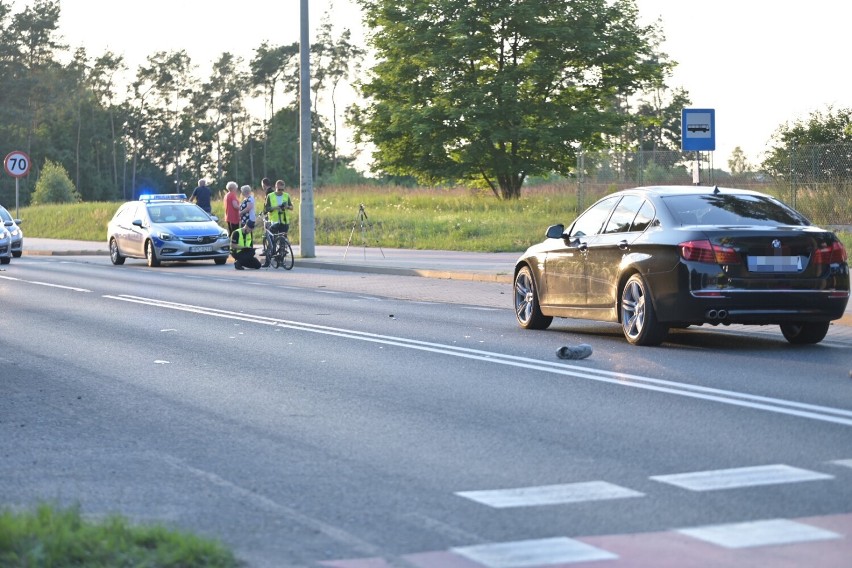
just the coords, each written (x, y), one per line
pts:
(165, 227)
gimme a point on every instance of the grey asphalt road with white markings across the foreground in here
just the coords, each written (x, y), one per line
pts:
(326, 418)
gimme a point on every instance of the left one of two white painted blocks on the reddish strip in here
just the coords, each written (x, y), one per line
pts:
(521, 553)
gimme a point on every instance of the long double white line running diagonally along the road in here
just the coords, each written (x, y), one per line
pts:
(776, 405)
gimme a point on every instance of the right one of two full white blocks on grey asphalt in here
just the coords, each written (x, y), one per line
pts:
(740, 477)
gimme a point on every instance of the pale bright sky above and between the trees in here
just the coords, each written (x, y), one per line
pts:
(759, 64)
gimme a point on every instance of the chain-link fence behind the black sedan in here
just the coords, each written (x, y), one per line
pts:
(816, 180)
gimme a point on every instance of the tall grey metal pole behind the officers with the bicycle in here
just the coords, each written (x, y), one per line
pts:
(306, 204)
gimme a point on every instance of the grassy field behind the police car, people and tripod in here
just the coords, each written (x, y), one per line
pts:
(426, 219)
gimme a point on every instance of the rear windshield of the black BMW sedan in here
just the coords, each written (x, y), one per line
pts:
(731, 209)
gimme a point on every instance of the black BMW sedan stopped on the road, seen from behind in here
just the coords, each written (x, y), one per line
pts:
(654, 258)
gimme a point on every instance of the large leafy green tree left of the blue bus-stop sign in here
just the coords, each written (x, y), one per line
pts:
(498, 90)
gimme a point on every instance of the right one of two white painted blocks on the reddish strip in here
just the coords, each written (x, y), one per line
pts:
(758, 533)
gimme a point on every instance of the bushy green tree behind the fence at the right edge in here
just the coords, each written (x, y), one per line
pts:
(810, 147)
